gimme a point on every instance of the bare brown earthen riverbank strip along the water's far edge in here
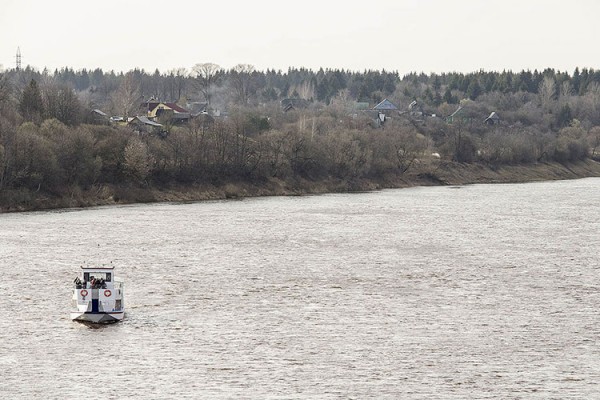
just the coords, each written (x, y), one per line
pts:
(425, 174)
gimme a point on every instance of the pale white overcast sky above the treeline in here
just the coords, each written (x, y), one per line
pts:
(402, 35)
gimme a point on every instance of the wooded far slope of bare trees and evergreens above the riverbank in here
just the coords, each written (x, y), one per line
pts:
(57, 137)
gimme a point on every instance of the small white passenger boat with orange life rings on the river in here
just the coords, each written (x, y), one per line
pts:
(98, 296)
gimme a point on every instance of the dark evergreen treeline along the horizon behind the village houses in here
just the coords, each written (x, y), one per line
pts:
(244, 83)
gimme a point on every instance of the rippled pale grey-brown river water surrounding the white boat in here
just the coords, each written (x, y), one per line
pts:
(474, 292)
